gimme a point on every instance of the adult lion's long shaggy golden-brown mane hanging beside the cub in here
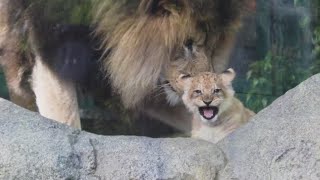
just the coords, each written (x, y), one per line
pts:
(142, 37)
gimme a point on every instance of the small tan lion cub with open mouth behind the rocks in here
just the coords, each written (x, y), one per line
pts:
(210, 97)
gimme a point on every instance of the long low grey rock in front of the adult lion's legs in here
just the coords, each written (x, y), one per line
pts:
(33, 147)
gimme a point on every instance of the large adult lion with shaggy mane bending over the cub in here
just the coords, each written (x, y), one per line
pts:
(145, 44)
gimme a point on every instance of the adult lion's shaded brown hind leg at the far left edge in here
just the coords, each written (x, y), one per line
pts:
(15, 71)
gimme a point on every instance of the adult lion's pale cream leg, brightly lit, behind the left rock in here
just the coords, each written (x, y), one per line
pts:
(56, 98)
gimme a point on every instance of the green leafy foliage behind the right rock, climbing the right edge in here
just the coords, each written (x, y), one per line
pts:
(275, 74)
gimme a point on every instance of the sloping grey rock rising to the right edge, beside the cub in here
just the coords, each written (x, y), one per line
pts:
(282, 141)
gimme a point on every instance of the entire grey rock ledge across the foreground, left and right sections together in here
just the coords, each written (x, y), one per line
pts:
(282, 142)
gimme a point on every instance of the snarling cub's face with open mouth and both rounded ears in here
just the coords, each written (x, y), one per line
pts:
(204, 94)
